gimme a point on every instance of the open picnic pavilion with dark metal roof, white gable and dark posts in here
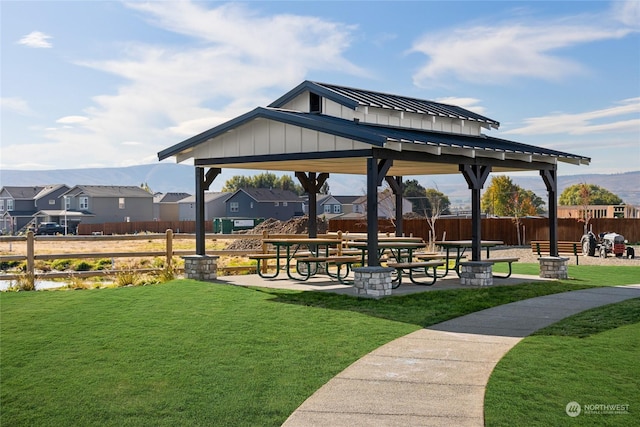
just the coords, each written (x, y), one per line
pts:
(317, 129)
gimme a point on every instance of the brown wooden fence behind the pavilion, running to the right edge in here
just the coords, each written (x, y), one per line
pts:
(503, 229)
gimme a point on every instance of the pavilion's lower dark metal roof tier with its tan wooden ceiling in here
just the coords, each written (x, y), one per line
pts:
(416, 152)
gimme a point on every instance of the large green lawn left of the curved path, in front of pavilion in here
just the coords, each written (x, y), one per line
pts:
(192, 353)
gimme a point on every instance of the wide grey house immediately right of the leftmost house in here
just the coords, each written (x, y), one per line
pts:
(98, 204)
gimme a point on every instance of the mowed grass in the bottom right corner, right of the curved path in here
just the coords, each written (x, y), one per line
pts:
(590, 358)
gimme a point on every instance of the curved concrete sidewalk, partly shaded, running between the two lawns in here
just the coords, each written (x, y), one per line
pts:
(437, 376)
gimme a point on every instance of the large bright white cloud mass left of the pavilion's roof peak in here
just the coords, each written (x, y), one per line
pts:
(238, 60)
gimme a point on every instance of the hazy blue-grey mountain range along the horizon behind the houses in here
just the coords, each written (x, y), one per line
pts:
(171, 177)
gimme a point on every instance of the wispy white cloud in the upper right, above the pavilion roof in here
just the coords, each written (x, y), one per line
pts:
(499, 52)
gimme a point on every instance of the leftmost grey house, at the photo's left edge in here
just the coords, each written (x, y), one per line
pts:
(28, 205)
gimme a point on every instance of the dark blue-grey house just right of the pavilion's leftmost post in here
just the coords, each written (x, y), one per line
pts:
(264, 203)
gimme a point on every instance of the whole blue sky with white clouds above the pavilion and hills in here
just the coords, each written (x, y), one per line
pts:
(105, 83)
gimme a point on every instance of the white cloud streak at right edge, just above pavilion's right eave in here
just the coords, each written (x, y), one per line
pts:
(618, 118)
